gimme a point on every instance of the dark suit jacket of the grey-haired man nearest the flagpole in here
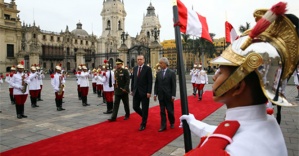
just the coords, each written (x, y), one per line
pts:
(165, 87)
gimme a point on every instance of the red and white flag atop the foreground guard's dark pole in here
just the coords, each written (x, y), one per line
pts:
(192, 23)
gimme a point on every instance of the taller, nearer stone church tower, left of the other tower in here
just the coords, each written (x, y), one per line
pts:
(113, 25)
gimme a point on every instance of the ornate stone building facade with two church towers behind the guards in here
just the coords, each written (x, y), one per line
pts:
(30, 43)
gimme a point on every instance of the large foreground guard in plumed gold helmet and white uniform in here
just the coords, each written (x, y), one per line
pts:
(248, 130)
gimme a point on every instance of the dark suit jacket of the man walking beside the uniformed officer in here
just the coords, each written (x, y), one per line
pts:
(142, 83)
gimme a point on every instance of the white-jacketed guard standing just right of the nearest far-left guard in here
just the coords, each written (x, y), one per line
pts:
(34, 86)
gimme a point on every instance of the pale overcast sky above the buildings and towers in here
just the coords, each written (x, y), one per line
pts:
(54, 15)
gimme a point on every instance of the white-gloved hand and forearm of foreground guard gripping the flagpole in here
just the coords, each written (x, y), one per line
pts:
(197, 127)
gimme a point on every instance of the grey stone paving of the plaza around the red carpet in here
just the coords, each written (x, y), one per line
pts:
(45, 121)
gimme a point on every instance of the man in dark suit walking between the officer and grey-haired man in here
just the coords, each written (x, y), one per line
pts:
(141, 88)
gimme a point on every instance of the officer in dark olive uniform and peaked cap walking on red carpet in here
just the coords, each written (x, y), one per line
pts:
(121, 90)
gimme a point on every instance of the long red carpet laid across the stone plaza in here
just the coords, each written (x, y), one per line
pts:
(117, 138)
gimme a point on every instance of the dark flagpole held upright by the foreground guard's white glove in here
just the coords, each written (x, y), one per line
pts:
(182, 79)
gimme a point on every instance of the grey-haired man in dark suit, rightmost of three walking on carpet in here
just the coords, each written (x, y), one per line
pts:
(165, 89)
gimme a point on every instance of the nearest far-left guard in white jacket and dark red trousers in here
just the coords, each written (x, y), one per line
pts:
(19, 82)
